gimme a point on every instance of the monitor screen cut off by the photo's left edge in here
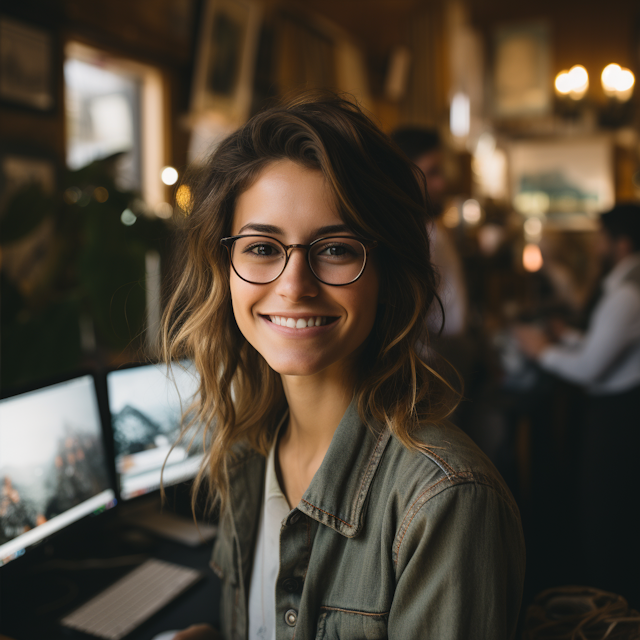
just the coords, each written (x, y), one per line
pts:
(53, 468)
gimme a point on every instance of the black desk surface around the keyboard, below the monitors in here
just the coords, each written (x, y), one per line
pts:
(33, 603)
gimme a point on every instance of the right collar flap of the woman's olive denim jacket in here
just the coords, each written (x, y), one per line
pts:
(337, 495)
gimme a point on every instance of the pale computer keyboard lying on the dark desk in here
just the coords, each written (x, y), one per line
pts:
(126, 604)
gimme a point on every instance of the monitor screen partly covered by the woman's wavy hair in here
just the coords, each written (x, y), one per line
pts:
(146, 406)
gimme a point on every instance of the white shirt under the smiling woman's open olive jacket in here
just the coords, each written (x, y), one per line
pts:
(266, 561)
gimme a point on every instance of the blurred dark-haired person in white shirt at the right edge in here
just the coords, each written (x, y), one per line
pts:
(605, 360)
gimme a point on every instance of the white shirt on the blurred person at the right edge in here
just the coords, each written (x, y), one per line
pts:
(607, 358)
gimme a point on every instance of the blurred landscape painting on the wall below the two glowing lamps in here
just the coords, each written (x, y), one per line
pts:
(566, 181)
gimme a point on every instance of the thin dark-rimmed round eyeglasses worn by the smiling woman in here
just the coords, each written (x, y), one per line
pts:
(337, 260)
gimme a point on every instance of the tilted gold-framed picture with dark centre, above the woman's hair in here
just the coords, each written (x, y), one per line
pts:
(225, 63)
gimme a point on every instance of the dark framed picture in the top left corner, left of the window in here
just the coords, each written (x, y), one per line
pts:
(26, 65)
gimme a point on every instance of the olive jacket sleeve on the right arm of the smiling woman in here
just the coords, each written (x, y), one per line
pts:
(460, 564)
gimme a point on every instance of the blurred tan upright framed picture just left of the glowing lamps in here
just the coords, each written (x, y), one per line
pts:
(522, 84)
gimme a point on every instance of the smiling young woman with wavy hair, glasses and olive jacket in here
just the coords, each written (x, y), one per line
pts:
(350, 508)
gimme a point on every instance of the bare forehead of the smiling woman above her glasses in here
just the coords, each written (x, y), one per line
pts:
(289, 196)
